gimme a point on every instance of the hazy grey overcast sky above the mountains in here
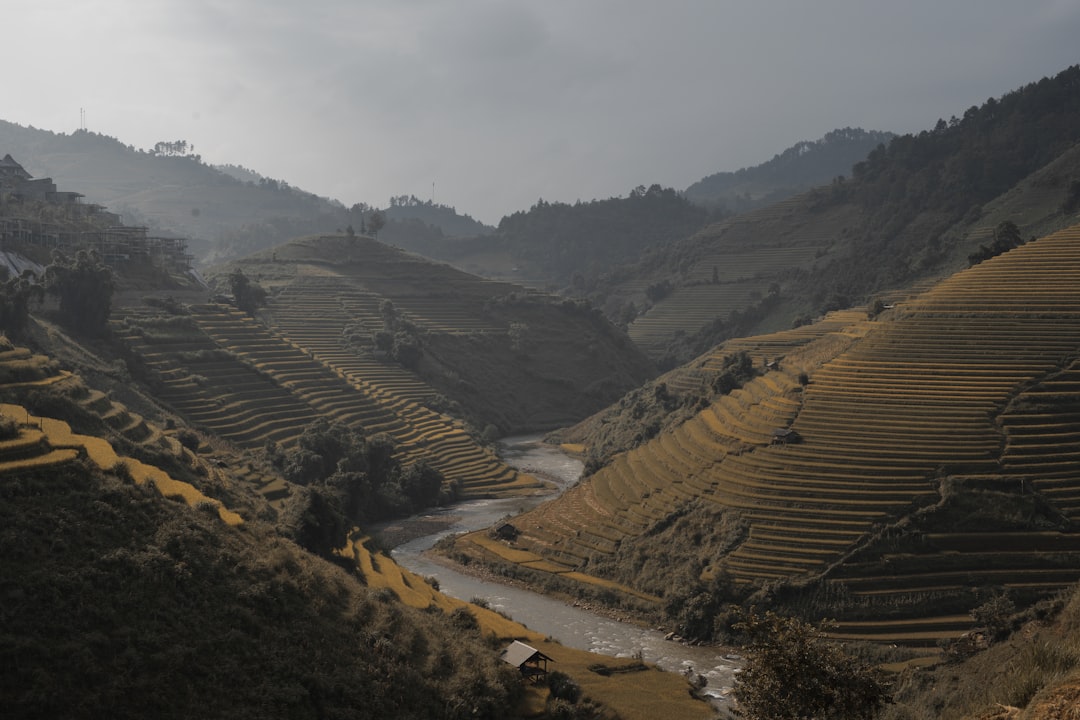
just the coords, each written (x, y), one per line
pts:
(502, 103)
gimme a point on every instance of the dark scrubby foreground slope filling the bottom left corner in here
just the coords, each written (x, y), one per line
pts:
(120, 603)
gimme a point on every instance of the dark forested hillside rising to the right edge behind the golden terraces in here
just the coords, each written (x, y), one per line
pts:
(914, 210)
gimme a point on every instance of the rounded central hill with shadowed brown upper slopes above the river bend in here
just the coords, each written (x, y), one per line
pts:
(488, 351)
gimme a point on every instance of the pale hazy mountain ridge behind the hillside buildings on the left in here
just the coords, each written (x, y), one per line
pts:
(225, 211)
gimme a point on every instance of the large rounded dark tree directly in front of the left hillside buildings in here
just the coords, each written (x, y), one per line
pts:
(85, 288)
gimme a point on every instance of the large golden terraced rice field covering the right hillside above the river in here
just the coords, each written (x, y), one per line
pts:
(977, 378)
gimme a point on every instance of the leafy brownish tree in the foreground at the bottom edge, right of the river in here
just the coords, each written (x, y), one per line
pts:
(793, 673)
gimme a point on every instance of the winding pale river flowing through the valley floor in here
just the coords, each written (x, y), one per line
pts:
(572, 627)
